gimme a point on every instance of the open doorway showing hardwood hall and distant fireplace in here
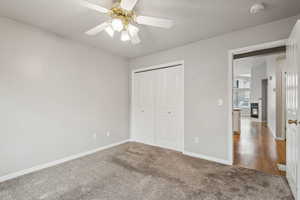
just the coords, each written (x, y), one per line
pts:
(258, 109)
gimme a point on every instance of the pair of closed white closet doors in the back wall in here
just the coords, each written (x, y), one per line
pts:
(157, 106)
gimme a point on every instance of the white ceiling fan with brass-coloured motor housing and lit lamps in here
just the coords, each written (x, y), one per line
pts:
(123, 19)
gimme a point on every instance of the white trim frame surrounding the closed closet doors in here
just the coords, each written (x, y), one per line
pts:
(155, 67)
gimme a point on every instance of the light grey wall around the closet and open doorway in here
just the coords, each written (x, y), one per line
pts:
(206, 80)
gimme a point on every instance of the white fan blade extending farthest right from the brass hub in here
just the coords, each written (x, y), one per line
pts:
(153, 21)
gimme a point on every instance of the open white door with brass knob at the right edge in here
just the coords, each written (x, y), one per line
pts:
(292, 112)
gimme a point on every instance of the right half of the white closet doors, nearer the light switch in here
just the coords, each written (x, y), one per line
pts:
(169, 108)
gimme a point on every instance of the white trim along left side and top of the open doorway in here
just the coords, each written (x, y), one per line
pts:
(231, 54)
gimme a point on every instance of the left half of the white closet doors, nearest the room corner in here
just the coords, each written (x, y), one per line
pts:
(143, 107)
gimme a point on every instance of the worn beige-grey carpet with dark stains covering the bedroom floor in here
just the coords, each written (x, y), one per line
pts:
(134, 171)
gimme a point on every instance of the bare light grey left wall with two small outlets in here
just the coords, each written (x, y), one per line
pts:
(54, 95)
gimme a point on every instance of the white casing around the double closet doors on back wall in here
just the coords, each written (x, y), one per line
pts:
(153, 67)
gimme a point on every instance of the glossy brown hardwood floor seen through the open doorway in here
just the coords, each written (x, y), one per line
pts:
(256, 148)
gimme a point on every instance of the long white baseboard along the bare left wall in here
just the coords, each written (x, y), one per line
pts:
(57, 162)
